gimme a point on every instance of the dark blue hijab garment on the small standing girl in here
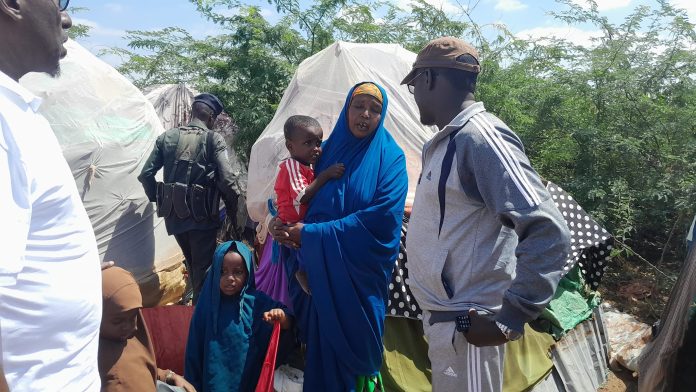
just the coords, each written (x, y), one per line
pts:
(228, 338)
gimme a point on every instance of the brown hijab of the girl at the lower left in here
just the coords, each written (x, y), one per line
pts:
(128, 365)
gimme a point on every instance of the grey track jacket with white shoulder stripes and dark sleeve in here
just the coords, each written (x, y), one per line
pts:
(484, 231)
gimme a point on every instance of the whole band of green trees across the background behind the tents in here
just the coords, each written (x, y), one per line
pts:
(613, 123)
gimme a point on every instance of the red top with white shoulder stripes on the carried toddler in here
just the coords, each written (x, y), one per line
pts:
(293, 178)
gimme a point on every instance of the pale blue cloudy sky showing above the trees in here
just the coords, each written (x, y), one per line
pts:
(111, 19)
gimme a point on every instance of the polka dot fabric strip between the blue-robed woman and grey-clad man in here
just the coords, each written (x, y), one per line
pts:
(401, 302)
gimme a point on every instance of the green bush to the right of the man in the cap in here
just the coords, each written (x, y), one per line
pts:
(612, 123)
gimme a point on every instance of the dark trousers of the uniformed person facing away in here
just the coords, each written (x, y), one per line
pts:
(198, 247)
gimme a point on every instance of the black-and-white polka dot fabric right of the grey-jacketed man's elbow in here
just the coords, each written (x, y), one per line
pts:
(590, 243)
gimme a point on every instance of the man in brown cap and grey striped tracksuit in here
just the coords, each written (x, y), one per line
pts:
(486, 244)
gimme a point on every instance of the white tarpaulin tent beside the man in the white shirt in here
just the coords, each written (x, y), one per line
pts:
(107, 129)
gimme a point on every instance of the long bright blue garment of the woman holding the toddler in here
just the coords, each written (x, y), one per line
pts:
(350, 241)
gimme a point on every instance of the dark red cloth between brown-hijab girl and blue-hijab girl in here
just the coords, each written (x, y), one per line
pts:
(168, 326)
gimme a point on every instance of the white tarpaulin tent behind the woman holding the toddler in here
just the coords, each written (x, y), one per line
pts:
(319, 89)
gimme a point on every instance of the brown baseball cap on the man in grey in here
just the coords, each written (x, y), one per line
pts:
(443, 52)
